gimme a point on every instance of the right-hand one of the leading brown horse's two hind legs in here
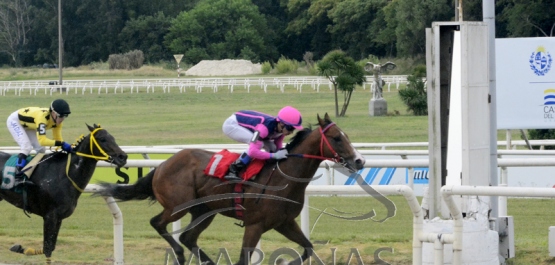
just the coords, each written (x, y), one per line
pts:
(189, 238)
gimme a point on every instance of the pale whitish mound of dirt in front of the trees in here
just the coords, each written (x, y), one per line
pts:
(225, 67)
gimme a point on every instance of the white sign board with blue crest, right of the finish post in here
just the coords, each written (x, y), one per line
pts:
(525, 85)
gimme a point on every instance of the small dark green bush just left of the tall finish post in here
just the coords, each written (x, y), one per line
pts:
(414, 95)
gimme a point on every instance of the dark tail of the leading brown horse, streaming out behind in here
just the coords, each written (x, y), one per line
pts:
(142, 189)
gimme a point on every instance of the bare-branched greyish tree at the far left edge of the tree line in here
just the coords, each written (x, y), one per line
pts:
(15, 24)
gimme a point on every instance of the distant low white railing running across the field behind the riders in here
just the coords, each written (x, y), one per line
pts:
(181, 84)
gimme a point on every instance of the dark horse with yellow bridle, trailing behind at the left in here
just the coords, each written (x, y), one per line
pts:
(56, 187)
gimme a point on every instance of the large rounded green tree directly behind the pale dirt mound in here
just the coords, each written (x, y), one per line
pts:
(221, 29)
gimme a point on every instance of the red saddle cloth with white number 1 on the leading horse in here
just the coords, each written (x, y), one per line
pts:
(220, 161)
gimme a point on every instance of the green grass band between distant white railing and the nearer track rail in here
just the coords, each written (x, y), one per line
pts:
(189, 118)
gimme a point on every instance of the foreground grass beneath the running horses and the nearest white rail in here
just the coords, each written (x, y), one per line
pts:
(87, 237)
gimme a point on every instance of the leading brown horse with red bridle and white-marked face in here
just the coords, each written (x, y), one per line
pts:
(272, 201)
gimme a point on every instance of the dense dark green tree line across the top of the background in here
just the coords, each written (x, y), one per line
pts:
(257, 30)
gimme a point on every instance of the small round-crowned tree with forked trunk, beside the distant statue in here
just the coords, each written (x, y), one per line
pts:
(344, 74)
